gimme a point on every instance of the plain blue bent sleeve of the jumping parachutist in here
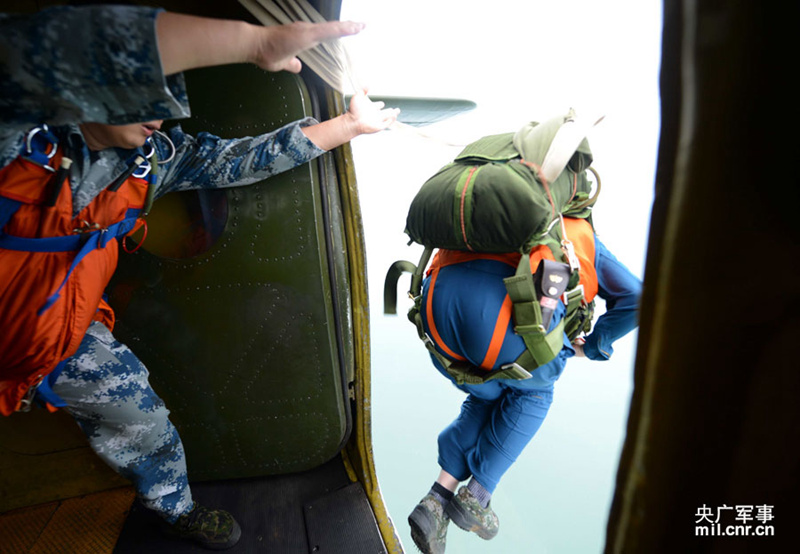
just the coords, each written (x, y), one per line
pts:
(621, 291)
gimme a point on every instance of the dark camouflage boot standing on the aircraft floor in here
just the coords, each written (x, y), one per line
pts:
(212, 529)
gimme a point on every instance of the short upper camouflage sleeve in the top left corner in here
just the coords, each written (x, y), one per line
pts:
(68, 65)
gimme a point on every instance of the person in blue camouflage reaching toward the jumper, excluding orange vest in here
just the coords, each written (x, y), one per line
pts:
(94, 74)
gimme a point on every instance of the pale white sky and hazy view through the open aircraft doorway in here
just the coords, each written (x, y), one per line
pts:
(519, 62)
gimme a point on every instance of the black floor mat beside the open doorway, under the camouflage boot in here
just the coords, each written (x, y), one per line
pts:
(315, 511)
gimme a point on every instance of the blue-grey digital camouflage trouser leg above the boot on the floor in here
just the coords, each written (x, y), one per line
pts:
(106, 390)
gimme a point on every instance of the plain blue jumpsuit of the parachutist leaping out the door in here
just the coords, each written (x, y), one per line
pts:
(500, 417)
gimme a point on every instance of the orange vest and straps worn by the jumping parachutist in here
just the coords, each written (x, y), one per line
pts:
(579, 232)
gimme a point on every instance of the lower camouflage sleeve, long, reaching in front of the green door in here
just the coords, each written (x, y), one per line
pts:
(208, 161)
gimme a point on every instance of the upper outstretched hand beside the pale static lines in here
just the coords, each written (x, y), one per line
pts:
(278, 46)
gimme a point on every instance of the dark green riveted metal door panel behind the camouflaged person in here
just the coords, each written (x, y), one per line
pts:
(241, 340)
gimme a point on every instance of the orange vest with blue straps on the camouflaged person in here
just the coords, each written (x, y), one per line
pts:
(39, 329)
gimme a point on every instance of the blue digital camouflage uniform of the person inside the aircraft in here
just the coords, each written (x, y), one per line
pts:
(64, 66)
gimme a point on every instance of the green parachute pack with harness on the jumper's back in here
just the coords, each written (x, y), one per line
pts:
(507, 193)
